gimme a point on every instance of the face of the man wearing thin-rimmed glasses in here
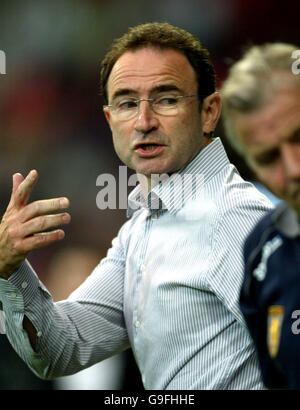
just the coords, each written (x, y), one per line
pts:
(152, 143)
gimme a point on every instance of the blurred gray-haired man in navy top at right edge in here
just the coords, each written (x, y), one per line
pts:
(261, 102)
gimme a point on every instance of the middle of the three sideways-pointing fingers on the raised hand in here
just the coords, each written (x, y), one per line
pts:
(43, 223)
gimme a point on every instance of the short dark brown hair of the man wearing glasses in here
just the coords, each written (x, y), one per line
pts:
(163, 36)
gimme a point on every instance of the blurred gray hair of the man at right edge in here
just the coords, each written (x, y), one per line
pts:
(253, 80)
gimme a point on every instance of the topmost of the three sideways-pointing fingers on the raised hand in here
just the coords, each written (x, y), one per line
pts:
(43, 207)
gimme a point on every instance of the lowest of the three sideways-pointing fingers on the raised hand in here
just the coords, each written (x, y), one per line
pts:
(39, 240)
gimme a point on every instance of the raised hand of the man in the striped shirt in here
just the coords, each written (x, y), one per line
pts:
(23, 225)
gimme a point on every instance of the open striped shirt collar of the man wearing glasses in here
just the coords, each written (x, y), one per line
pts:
(173, 192)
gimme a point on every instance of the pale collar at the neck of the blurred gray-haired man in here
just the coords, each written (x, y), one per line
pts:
(286, 221)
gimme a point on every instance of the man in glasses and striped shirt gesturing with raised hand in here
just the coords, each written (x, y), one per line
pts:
(169, 285)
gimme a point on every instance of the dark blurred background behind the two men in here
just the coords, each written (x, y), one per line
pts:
(51, 119)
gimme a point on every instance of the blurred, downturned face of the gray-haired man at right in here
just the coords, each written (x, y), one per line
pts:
(271, 139)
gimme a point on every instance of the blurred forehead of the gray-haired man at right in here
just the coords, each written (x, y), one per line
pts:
(272, 123)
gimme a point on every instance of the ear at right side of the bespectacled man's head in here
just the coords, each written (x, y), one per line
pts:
(210, 113)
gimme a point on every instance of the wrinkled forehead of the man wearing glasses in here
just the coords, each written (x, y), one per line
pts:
(143, 69)
